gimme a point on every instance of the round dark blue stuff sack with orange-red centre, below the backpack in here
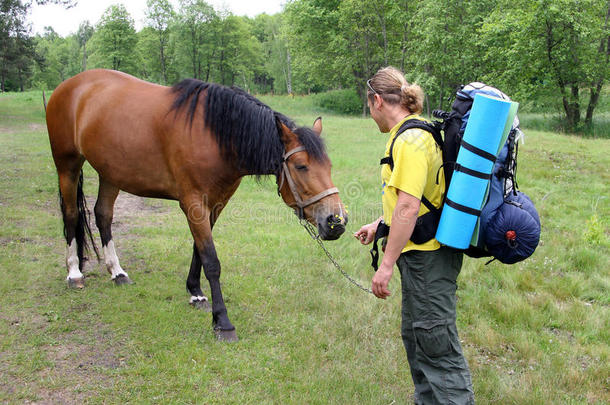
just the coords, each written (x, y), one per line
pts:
(512, 232)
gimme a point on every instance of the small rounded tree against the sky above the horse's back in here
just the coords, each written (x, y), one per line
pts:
(116, 39)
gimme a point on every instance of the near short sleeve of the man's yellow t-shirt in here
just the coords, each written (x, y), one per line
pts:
(410, 166)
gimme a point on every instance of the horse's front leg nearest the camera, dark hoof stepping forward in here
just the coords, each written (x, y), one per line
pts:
(199, 223)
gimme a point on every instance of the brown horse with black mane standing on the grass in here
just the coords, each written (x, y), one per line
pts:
(192, 143)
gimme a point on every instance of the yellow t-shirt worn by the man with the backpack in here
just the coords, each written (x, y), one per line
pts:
(417, 160)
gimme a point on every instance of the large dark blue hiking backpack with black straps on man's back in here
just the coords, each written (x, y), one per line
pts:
(509, 227)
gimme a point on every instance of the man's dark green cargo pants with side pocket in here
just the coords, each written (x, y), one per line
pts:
(439, 370)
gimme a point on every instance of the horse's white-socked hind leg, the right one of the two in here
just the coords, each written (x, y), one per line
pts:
(104, 208)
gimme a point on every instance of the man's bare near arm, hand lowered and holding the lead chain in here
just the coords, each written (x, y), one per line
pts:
(403, 222)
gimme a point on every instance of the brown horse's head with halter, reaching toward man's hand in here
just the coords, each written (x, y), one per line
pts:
(305, 184)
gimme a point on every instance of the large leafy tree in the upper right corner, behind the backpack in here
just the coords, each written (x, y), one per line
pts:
(556, 48)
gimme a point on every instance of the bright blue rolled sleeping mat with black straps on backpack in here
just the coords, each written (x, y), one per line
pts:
(474, 164)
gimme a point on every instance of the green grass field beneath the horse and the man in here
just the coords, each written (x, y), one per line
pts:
(537, 332)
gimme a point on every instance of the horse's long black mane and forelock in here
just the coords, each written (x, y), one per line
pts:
(246, 129)
